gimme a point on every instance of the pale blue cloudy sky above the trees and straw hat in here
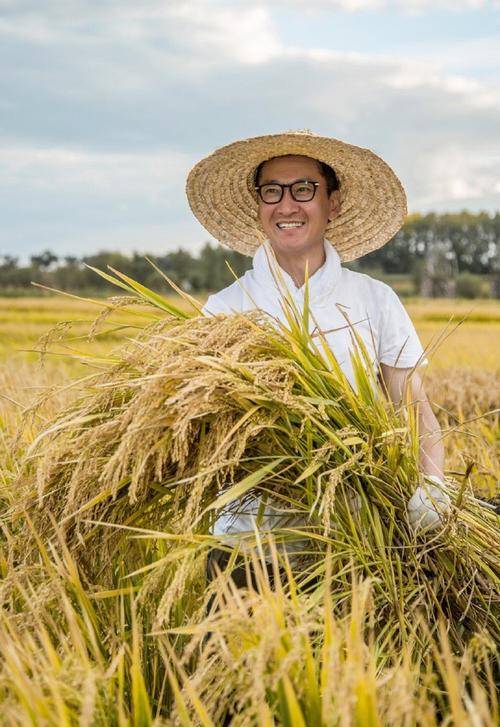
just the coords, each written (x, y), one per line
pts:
(105, 105)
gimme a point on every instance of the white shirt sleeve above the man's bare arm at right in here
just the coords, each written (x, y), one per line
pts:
(399, 344)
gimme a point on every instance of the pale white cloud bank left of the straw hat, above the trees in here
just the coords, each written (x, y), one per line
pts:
(78, 202)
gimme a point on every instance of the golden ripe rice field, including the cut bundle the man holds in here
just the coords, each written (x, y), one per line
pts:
(109, 485)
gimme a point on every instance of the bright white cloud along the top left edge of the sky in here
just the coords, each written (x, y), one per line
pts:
(213, 31)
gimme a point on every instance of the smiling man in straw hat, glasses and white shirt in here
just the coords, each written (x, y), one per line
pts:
(301, 203)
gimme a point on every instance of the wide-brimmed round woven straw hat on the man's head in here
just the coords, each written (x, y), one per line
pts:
(221, 194)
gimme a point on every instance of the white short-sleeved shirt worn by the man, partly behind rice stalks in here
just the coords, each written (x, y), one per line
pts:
(373, 310)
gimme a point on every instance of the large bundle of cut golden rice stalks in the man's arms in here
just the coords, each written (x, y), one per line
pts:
(198, 414)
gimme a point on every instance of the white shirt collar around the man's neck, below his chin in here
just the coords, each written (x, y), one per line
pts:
(267, 273)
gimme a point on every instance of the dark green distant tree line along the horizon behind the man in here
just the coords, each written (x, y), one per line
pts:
(454, 245)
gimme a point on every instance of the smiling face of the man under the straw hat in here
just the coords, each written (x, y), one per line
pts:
(296, 228)
